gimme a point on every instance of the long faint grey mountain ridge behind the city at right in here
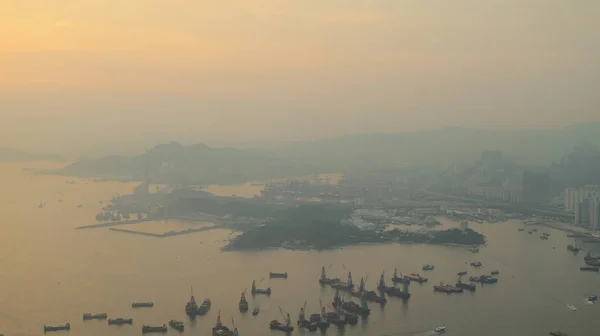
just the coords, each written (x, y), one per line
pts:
(380, 150)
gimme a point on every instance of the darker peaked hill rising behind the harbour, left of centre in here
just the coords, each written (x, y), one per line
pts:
(175, 163)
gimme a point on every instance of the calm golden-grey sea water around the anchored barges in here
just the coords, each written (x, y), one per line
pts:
(51, 273)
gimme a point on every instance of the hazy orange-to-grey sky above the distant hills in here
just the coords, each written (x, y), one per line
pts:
(77, 72)
